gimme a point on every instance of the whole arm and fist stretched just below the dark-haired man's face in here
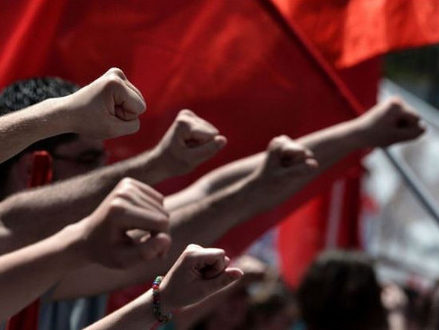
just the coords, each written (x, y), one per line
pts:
(189, 141)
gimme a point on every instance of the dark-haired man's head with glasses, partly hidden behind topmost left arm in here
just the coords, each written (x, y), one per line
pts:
(72, 154)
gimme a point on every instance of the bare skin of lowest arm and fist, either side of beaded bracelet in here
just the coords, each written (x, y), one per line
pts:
(197, 274)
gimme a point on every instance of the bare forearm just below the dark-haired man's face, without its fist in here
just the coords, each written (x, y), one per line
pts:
(33, 215)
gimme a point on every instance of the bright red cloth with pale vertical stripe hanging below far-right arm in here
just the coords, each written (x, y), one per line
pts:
(329, 221)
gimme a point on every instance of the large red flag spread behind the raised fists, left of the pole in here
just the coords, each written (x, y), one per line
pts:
(240, 64)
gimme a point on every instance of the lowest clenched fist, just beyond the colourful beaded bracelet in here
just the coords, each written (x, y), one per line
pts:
(197, 273)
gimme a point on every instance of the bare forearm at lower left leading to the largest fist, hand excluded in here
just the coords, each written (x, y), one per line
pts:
(27, 273)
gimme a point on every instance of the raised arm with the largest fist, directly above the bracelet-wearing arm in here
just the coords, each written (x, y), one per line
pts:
(100, 238)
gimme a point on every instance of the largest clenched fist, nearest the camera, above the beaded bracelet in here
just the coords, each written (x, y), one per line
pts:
(131, 205)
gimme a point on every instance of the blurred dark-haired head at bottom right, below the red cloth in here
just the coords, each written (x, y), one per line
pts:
(340, 291)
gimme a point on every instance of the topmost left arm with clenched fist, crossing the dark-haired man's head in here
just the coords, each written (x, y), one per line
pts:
(109, 107)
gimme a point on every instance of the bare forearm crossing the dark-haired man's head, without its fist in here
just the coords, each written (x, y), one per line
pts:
(20, 129)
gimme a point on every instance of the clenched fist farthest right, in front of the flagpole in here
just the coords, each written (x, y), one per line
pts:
(390, 122)
